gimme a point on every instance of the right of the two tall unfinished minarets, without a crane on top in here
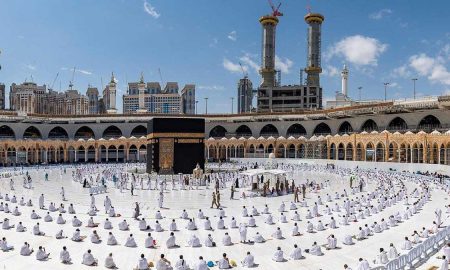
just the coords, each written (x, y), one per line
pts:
(313, 66)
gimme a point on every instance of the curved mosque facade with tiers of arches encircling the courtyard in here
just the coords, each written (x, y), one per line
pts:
(415, 132)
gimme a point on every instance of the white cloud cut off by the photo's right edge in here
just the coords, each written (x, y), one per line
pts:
(433, 68)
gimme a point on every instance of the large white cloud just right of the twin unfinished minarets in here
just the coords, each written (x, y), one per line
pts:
(359, 50)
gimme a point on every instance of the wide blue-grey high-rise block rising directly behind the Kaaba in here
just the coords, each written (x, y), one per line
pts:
(144, 97)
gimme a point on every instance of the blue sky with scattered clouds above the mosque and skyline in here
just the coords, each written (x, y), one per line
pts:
(202, 42)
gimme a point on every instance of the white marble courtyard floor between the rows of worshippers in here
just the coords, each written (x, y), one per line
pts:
(175, 200)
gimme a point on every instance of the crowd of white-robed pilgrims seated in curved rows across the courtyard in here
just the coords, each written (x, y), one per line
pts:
(332, 212)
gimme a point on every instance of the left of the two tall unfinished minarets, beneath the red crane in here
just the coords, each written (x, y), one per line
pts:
(269, 24)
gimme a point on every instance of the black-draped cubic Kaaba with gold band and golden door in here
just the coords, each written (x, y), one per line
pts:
(175, 145)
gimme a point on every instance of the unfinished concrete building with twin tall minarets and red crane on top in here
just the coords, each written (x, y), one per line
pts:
(274, 97)
